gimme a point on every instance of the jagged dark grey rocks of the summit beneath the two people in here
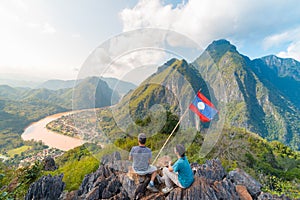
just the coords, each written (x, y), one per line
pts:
(114, 180)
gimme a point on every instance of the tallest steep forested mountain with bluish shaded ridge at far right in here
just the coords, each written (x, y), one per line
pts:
(259, 99)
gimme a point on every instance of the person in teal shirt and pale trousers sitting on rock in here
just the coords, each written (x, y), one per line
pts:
(180, 173)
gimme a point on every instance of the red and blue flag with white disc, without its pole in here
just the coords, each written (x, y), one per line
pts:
(203, 108)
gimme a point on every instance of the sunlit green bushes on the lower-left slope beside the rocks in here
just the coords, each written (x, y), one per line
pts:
(74, 164)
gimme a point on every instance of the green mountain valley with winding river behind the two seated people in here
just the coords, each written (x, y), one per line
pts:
(257, 127)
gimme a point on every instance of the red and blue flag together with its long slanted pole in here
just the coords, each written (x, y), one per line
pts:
(200, 106)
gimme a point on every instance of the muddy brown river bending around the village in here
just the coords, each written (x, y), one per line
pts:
(38, 131)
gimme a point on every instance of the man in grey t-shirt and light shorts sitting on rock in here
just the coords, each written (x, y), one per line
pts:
(141, 156)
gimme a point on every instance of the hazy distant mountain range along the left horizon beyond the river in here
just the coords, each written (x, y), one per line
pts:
(104, 91)
